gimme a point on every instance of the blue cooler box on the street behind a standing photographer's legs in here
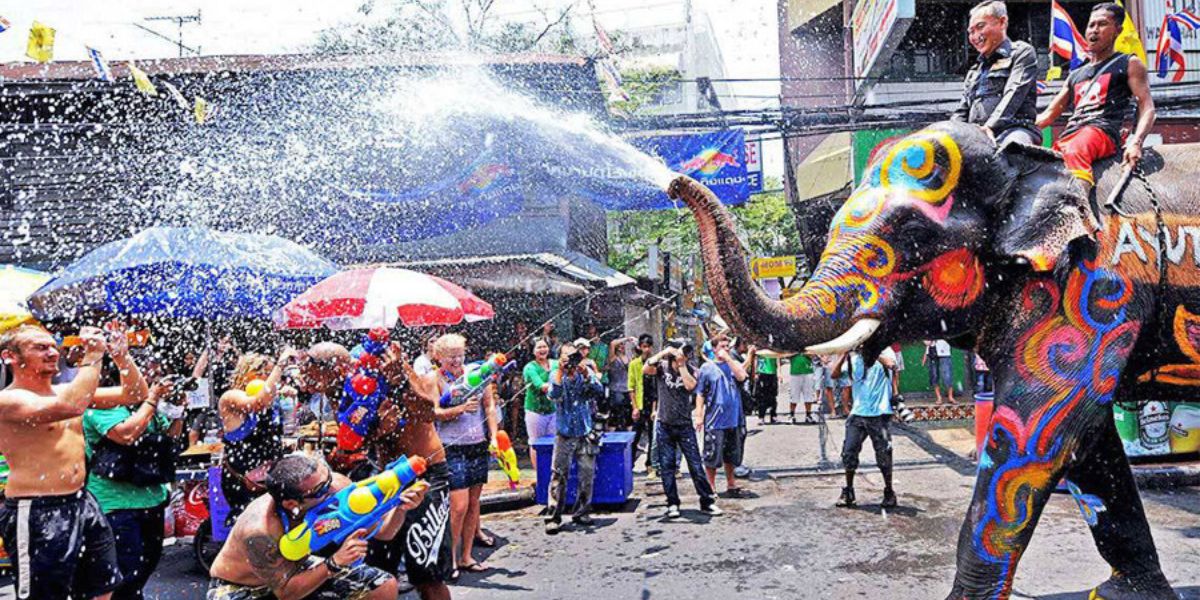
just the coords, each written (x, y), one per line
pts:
(615, 471)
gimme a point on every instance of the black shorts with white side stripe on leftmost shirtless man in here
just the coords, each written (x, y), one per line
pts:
(61, 547)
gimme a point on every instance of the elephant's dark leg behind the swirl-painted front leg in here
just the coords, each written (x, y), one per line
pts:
(1108, 495)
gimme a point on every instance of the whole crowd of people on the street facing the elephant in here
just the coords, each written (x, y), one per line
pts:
(91, 433)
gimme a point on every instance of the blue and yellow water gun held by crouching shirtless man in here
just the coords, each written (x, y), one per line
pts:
(359, 506)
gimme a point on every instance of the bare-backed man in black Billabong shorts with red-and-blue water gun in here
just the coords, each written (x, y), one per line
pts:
(404, 430)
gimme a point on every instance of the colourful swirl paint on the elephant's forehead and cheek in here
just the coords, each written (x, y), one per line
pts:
(907, 226)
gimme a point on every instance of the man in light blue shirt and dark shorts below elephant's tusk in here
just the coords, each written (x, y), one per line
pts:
(871, 417)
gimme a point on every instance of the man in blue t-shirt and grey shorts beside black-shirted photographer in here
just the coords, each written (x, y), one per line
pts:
(719, 387)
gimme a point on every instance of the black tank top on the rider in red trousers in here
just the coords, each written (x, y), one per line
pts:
(1101, 97)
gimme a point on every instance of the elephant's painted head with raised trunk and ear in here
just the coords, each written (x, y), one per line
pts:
(910, 249)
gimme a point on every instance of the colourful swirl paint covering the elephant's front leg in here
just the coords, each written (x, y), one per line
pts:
(1072, 356)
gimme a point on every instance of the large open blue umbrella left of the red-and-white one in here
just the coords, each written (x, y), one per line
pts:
(183, 272)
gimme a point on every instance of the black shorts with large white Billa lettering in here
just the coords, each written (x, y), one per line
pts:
(424, 542)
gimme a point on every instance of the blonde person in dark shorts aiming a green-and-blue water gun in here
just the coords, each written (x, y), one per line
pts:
(466, 430)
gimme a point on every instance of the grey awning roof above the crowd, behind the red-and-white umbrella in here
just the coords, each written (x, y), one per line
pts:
(565, 273)
